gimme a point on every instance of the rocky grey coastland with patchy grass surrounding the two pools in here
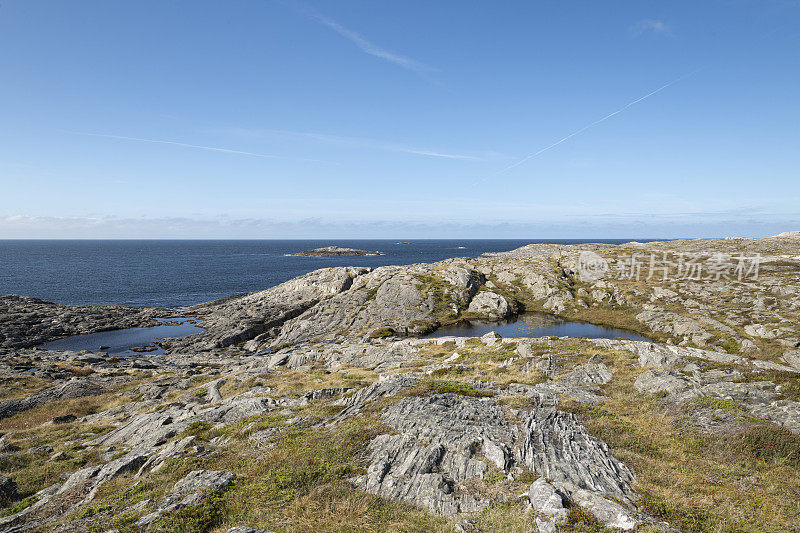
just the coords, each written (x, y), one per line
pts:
(318, 405)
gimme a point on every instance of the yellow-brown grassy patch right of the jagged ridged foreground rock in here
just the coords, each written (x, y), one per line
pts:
(691, 480)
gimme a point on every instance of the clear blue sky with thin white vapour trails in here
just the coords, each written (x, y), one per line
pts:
(272, 119)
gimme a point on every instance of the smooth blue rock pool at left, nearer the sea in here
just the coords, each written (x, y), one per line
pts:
(128, 341)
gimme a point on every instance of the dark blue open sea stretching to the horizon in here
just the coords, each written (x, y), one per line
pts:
(161, 273)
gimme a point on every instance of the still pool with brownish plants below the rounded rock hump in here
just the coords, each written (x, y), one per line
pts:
(537, 325)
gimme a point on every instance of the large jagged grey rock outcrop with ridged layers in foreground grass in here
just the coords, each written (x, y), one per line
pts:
(443, 441)
